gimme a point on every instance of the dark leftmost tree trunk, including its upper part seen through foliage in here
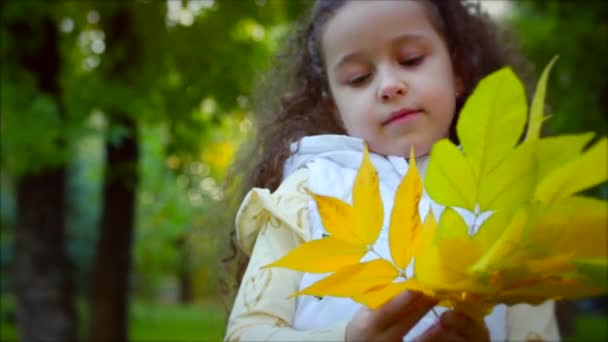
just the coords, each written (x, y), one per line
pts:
(44, 286)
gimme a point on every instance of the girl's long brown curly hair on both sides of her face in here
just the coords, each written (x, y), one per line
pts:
(476, 46)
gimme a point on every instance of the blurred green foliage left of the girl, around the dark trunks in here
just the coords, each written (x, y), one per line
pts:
(187, 86)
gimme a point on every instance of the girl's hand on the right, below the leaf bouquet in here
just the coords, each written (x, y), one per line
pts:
(457, 327)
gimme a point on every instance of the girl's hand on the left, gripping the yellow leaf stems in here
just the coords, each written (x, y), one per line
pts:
(391, 321)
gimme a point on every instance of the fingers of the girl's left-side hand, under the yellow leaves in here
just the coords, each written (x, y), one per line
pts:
(402, 312)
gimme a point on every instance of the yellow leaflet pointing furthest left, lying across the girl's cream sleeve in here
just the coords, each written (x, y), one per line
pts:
(320, 256)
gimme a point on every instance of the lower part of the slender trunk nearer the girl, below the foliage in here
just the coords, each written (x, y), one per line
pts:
(109, 295)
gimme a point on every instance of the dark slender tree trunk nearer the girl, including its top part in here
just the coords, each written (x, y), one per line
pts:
(111, 269)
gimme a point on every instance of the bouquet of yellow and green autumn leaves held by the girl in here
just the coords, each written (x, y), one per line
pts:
(533, 237)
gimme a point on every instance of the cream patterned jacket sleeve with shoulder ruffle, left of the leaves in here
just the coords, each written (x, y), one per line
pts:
(268, 227)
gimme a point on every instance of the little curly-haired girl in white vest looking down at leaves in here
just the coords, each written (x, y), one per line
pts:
(390, 74)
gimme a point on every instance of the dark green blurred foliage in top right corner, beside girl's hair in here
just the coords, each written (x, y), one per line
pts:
(577, 94)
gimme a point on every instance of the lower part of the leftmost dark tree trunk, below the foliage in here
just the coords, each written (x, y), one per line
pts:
(45, 309)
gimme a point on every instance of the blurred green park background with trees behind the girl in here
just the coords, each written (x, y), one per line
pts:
(119, 120)
